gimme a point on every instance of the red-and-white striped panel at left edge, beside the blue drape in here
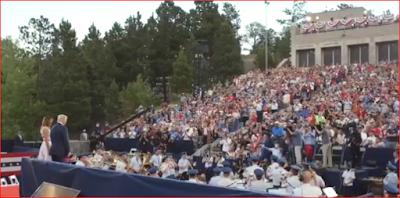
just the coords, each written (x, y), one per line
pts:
(11, 163)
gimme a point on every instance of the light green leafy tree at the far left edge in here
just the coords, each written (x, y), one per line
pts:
(20, 111)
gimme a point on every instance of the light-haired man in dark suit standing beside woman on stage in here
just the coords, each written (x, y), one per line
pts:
(59, 136)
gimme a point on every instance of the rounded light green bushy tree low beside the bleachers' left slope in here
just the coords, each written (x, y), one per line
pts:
(135, 94)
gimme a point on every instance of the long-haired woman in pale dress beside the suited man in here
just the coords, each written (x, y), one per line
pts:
(45, 133)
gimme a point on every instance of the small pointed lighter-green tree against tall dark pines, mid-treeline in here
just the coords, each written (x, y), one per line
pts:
(182, 79)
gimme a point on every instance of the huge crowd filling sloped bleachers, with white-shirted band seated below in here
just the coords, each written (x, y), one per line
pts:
(282, 114)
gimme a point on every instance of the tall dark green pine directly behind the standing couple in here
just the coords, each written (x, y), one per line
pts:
(70, 92)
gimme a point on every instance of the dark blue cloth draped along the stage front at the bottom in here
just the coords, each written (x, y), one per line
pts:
(104, 183)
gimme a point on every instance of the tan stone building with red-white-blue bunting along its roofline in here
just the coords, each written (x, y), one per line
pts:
(345, 36)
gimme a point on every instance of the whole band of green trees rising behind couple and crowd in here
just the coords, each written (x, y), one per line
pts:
(105, 77)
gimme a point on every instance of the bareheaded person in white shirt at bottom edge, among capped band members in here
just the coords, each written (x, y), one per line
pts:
(306, 189)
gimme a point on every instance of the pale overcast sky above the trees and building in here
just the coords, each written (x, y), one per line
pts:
(103, 14)
